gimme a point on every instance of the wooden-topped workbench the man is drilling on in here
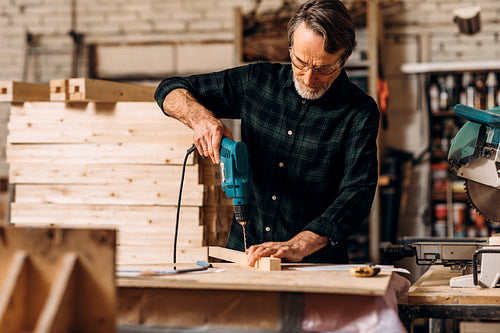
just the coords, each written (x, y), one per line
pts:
(231, 297)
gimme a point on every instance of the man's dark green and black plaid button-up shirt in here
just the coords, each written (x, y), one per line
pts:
(313, 163)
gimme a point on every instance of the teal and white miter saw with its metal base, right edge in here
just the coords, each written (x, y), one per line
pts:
(475, 156)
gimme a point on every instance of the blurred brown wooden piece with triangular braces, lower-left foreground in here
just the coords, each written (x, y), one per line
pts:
(57, 280)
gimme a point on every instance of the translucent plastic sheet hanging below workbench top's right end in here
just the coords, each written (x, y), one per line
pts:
(351, 313)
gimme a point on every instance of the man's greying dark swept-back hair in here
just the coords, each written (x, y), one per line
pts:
(330, 19)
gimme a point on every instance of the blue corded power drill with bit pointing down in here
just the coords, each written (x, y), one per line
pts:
(234, 178)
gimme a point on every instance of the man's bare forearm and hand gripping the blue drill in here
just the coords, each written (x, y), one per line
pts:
(208, 130)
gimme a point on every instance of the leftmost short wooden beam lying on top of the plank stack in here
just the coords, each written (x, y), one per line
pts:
(13, 91)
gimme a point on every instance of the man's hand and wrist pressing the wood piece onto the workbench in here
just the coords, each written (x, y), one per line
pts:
(294, 250)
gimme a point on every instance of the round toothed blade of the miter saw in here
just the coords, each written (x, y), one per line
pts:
(485, 199)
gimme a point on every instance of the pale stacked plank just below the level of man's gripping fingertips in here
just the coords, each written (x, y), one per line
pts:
(133, 174)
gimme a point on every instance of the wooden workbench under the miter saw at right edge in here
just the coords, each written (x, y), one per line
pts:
(432, 297)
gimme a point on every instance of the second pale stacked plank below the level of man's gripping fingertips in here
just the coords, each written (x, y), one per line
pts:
(107, 194)
